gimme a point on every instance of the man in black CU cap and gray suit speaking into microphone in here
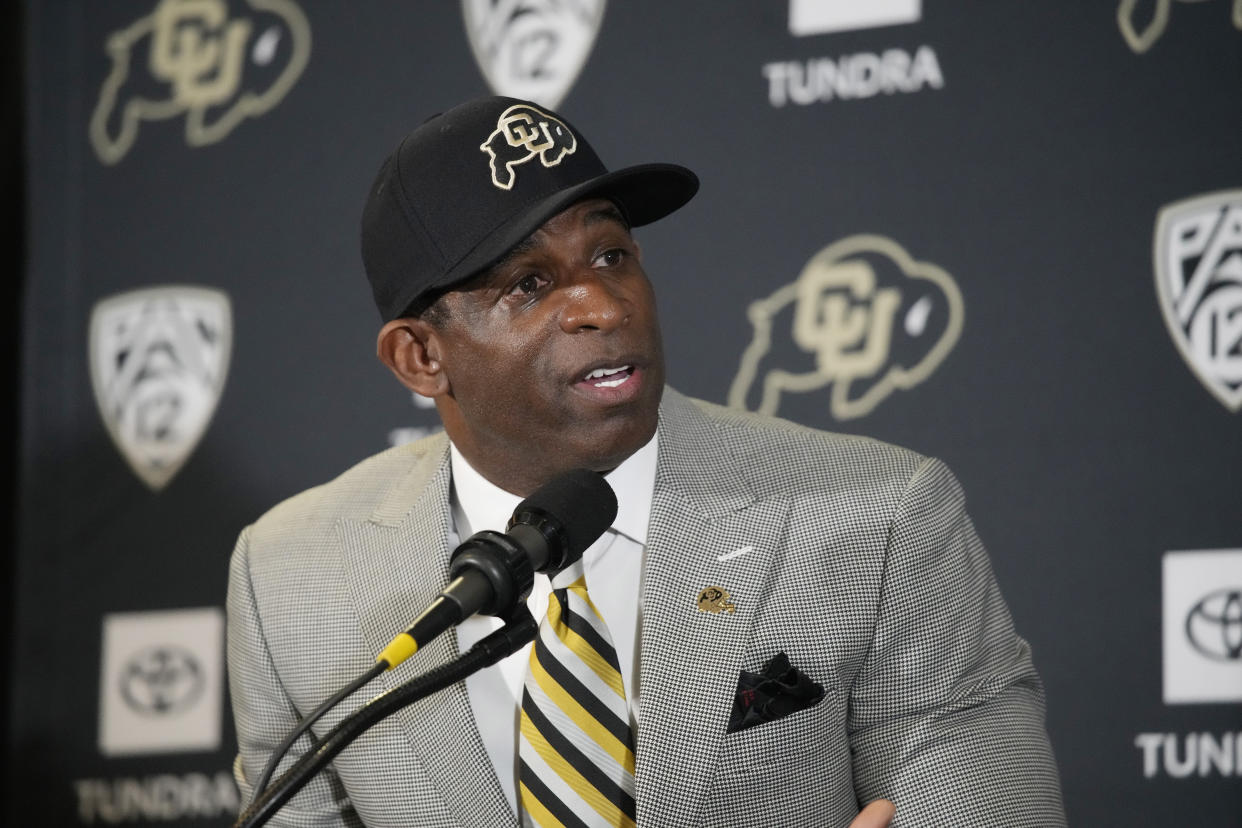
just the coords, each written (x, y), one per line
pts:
(803, 623)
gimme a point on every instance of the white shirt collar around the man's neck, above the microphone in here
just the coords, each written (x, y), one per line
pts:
(480, 505)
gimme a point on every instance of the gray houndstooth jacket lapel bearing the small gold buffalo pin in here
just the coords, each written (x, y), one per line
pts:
(691, 660)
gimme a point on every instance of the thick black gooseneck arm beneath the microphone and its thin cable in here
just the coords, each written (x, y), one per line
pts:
(514, 636)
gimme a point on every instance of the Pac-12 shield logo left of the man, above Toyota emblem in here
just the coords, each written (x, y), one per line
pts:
(160, 358)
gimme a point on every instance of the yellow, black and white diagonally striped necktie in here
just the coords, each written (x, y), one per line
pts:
(577, 745)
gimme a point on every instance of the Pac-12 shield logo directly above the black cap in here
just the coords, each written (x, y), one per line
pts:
(532, 49)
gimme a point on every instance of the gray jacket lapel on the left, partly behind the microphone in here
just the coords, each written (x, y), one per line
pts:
(396, 564)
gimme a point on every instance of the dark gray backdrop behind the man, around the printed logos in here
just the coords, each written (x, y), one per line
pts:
(1086, 445)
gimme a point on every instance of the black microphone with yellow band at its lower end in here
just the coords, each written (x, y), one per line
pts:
(492, 573)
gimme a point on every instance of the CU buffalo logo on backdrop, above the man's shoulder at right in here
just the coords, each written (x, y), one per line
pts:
(864, 318)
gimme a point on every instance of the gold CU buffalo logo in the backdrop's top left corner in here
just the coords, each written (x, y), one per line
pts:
(193, 58)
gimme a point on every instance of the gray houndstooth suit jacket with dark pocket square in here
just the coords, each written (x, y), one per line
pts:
(861, 564)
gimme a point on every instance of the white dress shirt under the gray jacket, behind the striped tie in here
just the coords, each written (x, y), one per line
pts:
(614, 578)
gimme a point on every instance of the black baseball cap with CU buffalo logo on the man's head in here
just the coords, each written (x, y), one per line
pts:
(470, 184)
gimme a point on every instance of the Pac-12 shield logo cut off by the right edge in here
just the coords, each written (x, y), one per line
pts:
(1199, 285)
